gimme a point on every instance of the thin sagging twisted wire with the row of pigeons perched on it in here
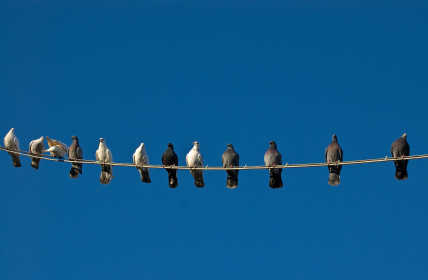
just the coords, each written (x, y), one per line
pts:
(303, 165)
